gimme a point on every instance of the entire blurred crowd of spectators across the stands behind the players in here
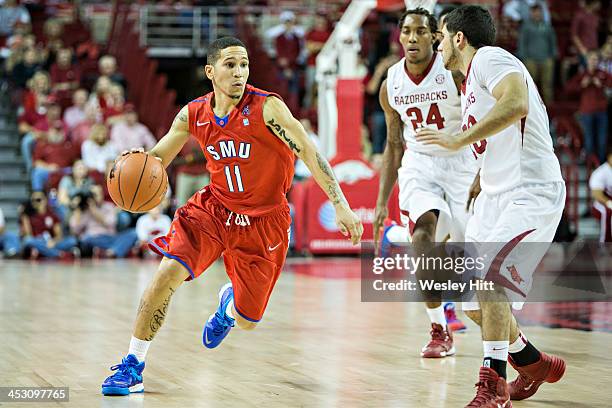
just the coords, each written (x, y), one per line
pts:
(74, 114)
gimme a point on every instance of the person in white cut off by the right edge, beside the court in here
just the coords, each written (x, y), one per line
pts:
(601, 192)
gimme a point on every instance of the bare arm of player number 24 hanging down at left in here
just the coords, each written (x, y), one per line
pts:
(392, 160)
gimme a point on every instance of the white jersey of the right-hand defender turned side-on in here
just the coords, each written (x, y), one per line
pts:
(523, 152)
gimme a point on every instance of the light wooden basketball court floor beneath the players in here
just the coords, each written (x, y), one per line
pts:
(318, 345)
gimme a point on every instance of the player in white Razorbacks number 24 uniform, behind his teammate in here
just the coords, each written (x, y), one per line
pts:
(434, 182)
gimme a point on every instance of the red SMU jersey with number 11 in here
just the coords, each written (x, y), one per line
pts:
(250, 168)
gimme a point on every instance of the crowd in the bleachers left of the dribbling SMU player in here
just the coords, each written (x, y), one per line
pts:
(73, 121)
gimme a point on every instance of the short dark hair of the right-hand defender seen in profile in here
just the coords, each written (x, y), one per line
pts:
(474, 22)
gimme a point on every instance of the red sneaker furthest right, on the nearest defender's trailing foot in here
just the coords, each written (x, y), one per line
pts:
(549, 369)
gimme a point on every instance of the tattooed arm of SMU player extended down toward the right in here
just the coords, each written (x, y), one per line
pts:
(288, 129)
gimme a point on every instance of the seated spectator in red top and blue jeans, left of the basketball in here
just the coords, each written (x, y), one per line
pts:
(52, 153)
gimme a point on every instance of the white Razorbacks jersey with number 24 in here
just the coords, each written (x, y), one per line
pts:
(432, 100)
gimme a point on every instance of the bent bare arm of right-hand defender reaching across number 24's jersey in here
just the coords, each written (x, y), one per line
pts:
(512, 105)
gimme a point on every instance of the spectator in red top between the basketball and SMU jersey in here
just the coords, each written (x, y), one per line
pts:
(191, 174)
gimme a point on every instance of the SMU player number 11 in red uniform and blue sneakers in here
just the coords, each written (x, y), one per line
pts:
(249, 138)
